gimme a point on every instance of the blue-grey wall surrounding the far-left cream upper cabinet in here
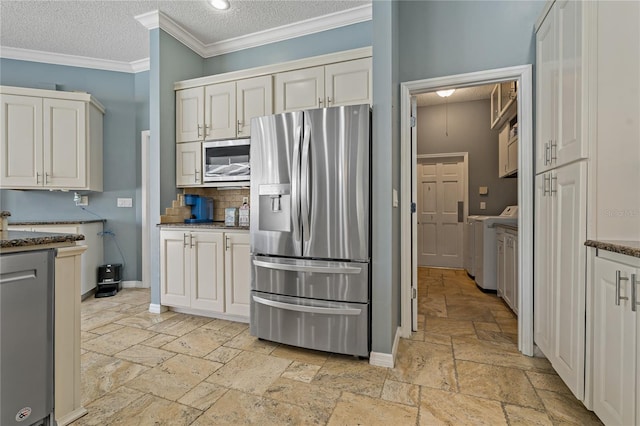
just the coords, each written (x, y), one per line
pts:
(122, 122)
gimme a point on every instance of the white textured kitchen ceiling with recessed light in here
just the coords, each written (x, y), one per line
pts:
(108, 30)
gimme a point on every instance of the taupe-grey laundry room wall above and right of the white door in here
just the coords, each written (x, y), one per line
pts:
(469, 131)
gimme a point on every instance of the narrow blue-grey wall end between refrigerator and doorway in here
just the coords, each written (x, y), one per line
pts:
(385, 298)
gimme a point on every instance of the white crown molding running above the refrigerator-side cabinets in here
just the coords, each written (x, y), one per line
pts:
(285, 32)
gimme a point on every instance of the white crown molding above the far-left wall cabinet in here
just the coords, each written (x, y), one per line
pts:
(71, 60)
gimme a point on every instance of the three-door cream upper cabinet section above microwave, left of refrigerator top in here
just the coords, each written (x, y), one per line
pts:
(222, 110)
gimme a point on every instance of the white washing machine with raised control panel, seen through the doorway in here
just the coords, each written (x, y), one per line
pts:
(485, 246)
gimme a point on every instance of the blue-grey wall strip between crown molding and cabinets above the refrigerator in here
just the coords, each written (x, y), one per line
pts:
(335, 40)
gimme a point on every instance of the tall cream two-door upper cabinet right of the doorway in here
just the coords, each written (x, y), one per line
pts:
(560, 62)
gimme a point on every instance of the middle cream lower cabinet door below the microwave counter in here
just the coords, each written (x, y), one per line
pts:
(207, 271)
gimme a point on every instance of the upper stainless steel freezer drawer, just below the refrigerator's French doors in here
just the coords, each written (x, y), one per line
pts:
(340, 281)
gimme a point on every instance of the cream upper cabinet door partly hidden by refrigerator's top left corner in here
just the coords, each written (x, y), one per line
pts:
(254, 99)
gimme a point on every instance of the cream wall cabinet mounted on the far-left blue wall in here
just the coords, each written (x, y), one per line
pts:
(50, 140)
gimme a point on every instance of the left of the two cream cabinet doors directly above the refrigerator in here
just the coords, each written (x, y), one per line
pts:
(299, 89)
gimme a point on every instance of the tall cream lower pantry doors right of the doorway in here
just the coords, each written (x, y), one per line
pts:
(559, 271)
